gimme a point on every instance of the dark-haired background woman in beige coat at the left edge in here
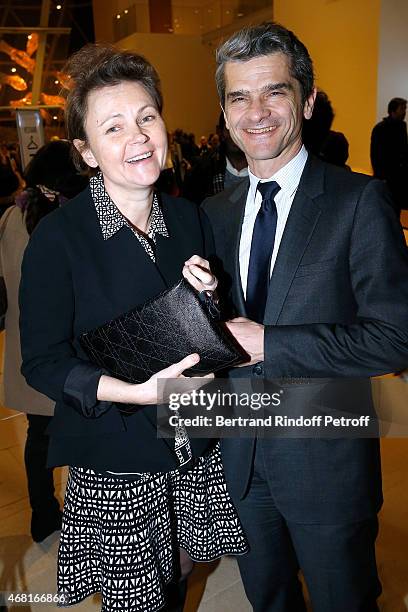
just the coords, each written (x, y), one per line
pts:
(50, 178)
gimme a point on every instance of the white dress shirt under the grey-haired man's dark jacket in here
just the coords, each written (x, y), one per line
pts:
(288, 179)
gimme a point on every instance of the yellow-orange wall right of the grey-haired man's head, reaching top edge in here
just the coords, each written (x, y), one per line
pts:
(343, 39)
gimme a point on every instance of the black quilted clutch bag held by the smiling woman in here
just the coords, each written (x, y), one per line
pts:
(160, 332)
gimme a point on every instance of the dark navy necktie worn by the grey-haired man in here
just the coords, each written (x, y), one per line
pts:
(263, 239)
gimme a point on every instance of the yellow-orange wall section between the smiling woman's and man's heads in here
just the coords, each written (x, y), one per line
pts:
(186, 68)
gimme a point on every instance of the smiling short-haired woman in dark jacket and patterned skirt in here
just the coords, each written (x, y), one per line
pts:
(132, 500)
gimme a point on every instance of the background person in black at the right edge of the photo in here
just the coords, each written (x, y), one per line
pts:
(389, 152)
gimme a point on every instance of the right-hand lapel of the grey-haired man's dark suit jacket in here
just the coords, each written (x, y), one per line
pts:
(300, 225)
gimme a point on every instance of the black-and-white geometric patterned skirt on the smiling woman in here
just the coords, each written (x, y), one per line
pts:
(121, 538)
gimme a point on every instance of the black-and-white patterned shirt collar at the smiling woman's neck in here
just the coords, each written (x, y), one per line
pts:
(111, 219)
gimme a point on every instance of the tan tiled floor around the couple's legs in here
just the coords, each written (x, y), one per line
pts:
(29, 567)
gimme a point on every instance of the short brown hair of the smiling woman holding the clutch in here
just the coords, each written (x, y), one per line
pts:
(96, 66)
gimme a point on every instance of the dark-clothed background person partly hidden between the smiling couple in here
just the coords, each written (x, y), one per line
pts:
(219, 169)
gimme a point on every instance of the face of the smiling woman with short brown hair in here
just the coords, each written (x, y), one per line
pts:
(126, 136)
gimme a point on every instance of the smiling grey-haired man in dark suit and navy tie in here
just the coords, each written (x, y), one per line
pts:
(318, 273)
